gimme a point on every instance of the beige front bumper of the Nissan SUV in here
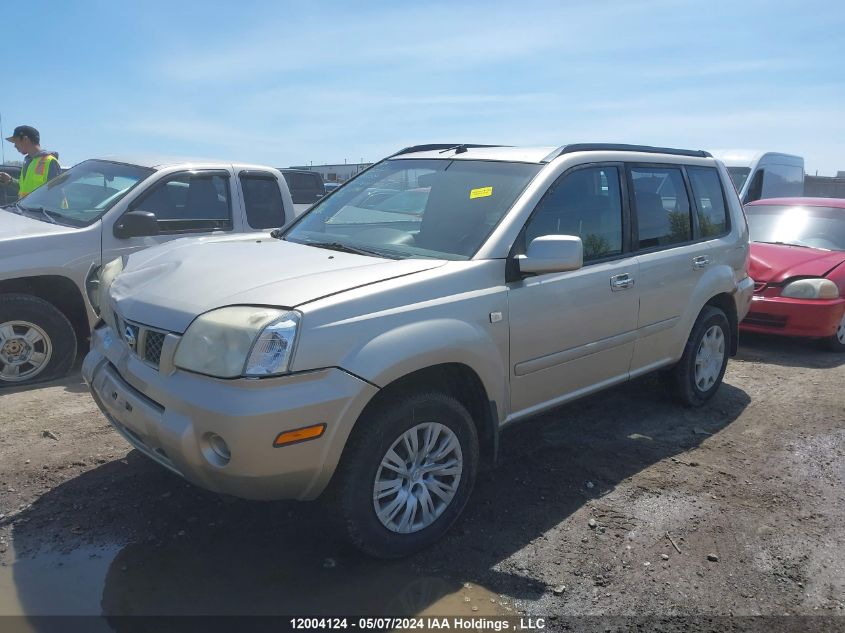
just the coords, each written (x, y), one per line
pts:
(170, 418)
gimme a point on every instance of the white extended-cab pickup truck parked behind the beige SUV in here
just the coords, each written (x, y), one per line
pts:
(54, 241)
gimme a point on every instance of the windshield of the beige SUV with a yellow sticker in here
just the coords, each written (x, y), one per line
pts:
(417, 208)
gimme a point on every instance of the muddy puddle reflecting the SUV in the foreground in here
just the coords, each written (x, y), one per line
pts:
(226, 578)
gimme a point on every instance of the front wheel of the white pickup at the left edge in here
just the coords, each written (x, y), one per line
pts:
(37, 342)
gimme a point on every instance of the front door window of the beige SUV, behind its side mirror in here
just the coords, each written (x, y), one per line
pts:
(585, 203)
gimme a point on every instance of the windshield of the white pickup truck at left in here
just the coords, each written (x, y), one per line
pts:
(85, 192)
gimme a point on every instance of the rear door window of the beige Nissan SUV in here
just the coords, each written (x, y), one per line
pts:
(661, 205)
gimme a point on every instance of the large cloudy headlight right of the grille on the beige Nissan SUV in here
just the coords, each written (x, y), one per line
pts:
(239, 341)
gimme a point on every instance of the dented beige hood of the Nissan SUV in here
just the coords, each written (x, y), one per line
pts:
(170, 285)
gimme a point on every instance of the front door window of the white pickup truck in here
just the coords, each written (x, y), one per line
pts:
(190, 201)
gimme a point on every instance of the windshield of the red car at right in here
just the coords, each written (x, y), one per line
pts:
(817, 227)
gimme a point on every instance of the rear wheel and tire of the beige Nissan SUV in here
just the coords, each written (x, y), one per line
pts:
(697, 376)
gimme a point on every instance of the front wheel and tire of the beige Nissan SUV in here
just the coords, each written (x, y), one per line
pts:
(406, 476)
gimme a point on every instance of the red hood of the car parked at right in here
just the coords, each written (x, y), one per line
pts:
(774, 263)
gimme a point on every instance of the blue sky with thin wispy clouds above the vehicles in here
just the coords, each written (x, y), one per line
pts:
(285, 83)
